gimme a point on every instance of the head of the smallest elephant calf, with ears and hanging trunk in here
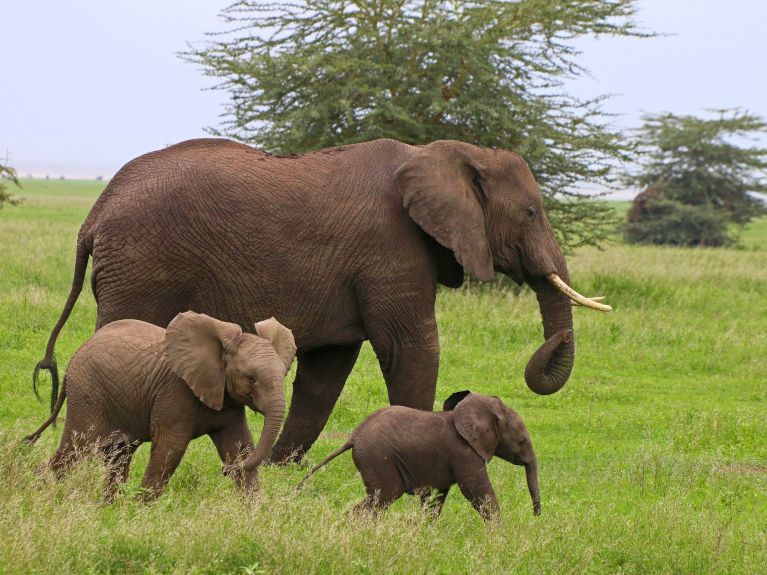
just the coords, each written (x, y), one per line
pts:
(492, 428)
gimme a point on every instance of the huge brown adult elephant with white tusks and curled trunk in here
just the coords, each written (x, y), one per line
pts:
(340, 245)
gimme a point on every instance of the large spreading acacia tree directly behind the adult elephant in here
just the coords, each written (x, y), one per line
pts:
(317, 73)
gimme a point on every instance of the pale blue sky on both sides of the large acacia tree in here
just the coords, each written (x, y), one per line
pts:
(89, 84)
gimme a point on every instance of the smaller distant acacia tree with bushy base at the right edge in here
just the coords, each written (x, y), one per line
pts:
(702, 174)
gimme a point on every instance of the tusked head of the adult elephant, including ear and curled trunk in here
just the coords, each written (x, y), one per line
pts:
(485, 206)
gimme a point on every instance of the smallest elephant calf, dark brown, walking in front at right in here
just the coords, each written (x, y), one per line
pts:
(401, 450)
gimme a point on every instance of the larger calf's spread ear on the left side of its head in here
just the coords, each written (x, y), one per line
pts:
(194, 346)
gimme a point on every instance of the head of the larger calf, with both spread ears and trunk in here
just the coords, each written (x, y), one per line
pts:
(214, 357)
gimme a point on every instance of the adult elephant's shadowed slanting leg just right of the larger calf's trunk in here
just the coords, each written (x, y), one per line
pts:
(319, 381)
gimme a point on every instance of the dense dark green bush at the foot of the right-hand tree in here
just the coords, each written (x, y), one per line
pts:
(669, 222)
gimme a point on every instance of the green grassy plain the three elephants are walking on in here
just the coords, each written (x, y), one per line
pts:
(653, 459)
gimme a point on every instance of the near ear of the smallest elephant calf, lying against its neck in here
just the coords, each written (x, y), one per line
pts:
(477, 420)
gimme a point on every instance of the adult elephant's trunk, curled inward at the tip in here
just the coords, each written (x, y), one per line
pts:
(549, 368)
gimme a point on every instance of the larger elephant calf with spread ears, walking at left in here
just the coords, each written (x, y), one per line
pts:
(134, 382)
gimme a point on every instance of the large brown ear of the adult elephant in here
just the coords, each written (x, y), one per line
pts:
(438, 191)
